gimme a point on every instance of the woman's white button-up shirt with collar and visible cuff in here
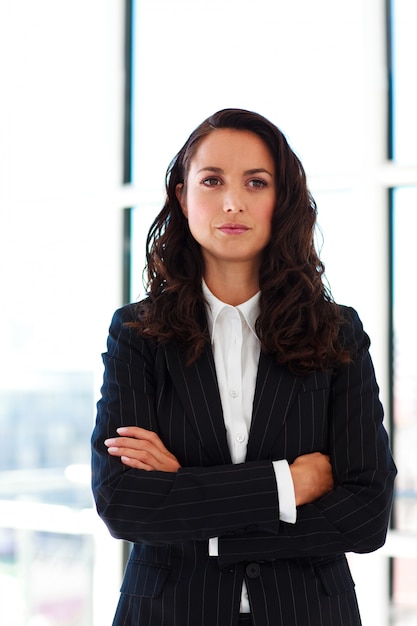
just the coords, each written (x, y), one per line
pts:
(236, 350)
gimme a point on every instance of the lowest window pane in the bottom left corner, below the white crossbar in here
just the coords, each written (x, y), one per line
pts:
(56, 587)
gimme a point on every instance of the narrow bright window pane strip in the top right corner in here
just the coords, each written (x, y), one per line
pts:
(405, 93)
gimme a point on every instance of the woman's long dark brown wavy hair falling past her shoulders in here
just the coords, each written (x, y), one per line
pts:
(299, 322)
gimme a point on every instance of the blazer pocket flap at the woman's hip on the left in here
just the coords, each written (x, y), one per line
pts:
(144, 579)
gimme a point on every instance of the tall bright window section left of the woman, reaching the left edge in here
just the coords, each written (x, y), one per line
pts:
(61, 136)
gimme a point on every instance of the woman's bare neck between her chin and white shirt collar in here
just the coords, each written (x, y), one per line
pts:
(232, 285)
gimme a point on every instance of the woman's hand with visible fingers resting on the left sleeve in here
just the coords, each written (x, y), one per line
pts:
(141, 449)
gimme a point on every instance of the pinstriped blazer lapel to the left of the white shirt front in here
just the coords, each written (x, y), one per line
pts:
(197, 387)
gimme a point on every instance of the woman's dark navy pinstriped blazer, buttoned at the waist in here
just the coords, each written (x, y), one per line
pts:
(296, 575)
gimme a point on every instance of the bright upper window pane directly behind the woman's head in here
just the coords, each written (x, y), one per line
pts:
(300, 63)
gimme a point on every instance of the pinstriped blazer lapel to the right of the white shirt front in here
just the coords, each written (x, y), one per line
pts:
(275, 391)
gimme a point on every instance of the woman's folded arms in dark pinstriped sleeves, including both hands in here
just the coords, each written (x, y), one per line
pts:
(350, 515)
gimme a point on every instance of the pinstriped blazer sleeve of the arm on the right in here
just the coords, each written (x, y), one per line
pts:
(354, 516)
